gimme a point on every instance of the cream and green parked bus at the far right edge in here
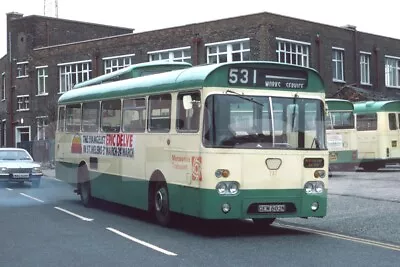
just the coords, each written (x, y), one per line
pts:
(378, 133)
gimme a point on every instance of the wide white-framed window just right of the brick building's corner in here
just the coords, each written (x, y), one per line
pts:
(293, 52)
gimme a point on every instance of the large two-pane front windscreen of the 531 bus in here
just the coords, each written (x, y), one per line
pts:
(260, 122)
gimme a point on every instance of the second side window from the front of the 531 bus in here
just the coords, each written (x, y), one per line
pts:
(159, 113)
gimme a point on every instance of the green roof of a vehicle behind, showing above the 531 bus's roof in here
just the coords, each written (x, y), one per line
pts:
(136, 70)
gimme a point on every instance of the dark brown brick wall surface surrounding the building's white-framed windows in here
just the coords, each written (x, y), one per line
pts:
(262, 29)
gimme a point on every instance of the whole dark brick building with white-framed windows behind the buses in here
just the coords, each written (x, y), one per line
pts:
(47, 56)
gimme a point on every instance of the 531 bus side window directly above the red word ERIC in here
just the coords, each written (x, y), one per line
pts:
(111, 116)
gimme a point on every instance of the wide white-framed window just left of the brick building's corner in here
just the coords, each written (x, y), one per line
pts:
(228, 51)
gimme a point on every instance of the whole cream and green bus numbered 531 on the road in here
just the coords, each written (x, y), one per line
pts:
(176, 142)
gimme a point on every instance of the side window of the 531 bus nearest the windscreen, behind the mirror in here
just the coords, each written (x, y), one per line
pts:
(188, 120)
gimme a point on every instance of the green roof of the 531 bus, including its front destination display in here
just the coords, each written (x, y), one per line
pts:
(269, 75)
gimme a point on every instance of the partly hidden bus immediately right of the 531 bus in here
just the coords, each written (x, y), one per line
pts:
(341, 135)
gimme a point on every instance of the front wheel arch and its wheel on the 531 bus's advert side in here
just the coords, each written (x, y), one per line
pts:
(159, 199)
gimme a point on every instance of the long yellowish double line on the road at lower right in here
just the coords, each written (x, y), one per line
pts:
(341, 236)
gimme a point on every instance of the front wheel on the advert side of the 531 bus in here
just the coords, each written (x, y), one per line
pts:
(161, 204)
